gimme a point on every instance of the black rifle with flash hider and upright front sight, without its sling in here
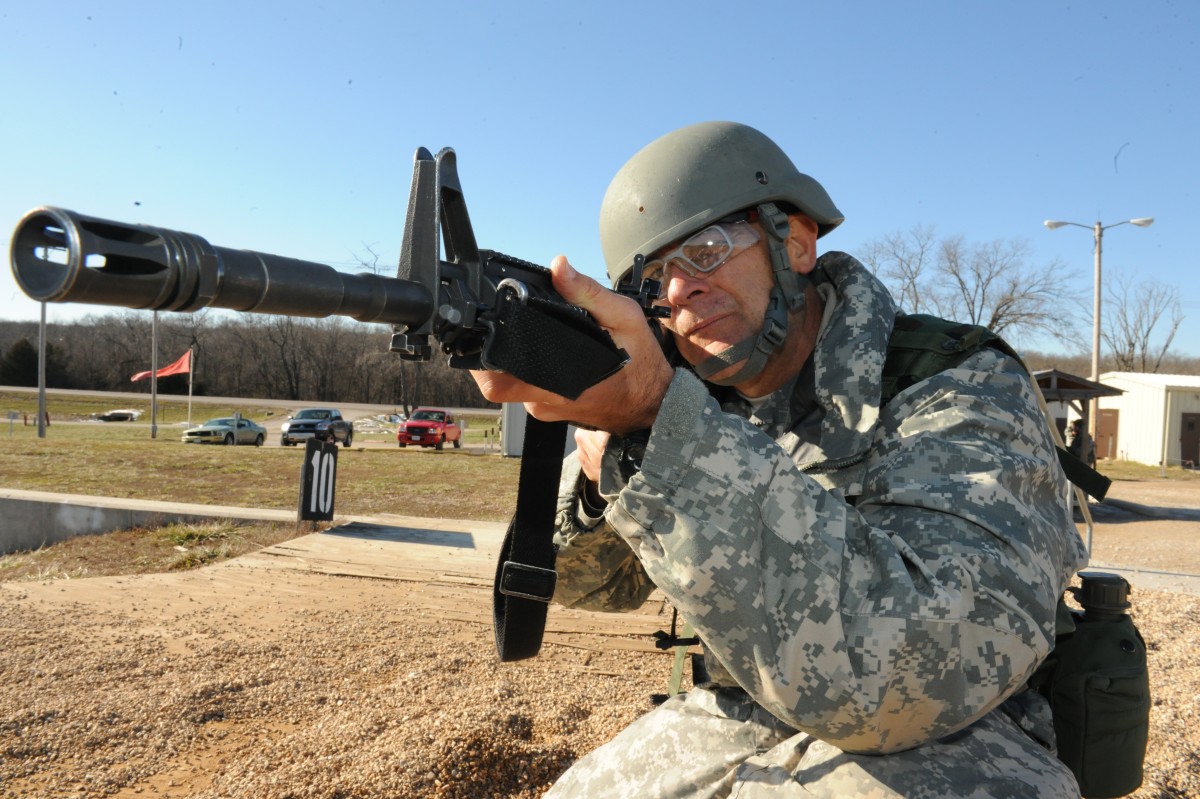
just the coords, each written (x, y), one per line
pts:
(487, 310)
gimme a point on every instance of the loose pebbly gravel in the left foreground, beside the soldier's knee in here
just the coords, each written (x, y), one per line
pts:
(346, 704)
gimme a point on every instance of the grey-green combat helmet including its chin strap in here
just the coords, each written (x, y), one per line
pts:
(697, 176)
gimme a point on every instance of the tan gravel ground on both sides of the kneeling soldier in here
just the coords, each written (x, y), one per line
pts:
(338, 687)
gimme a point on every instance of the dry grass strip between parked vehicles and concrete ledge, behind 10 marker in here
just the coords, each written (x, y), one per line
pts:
(122, 461)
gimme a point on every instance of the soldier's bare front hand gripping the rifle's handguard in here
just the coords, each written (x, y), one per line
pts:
(625, 402)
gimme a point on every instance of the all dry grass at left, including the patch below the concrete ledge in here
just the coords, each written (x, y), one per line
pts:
(121, 460)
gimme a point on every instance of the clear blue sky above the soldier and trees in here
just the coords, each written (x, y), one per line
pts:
(290, 128)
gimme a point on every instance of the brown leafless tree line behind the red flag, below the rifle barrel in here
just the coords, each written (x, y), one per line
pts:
(328, 361)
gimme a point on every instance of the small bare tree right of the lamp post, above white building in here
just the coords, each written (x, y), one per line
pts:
(1133, 315)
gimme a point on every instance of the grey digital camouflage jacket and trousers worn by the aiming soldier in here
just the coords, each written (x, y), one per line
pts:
(866, 581)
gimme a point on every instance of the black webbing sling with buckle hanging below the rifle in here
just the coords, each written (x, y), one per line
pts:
(525, 575)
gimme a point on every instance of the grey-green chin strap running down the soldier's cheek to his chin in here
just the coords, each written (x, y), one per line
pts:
(787, 296)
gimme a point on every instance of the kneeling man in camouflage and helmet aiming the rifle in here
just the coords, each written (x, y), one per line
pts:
(874, 584)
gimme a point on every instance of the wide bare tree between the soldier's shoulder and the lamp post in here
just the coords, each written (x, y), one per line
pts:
(991, 284)
